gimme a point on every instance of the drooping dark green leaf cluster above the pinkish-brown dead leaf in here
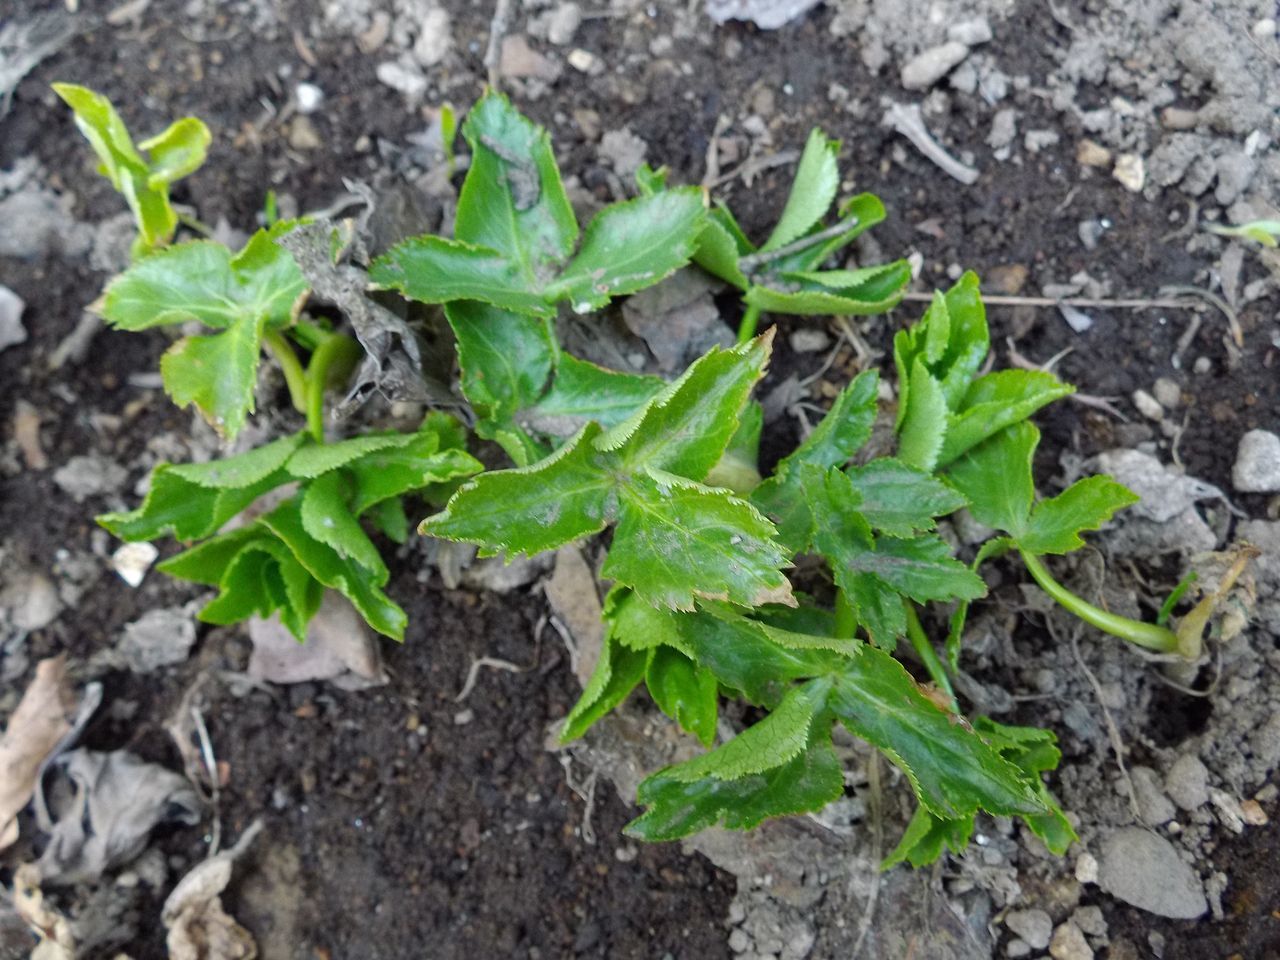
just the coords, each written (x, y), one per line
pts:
(301, 506)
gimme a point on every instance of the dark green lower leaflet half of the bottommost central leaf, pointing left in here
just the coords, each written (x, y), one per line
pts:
(678, 807)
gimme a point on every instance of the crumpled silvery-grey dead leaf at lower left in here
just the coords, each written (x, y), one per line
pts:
(107, 815)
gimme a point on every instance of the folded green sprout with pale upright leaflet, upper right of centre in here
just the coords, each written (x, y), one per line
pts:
(784, 275)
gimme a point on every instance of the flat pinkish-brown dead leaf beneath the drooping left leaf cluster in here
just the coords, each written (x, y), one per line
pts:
(340, 648)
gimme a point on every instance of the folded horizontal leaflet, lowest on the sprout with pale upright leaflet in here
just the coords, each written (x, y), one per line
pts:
(872, 290)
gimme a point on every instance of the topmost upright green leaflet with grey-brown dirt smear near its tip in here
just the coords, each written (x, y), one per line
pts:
(513, 200)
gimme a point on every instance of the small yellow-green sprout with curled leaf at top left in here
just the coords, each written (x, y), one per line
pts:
(144, 184)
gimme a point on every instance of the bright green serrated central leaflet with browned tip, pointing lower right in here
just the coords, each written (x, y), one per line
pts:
(679, 541)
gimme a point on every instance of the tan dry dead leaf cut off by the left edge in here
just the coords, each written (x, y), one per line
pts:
(35, 729)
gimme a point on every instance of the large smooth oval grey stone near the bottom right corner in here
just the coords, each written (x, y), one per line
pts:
(1144, 870)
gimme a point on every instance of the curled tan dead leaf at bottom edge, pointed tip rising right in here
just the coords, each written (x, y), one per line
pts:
(199, 926)
